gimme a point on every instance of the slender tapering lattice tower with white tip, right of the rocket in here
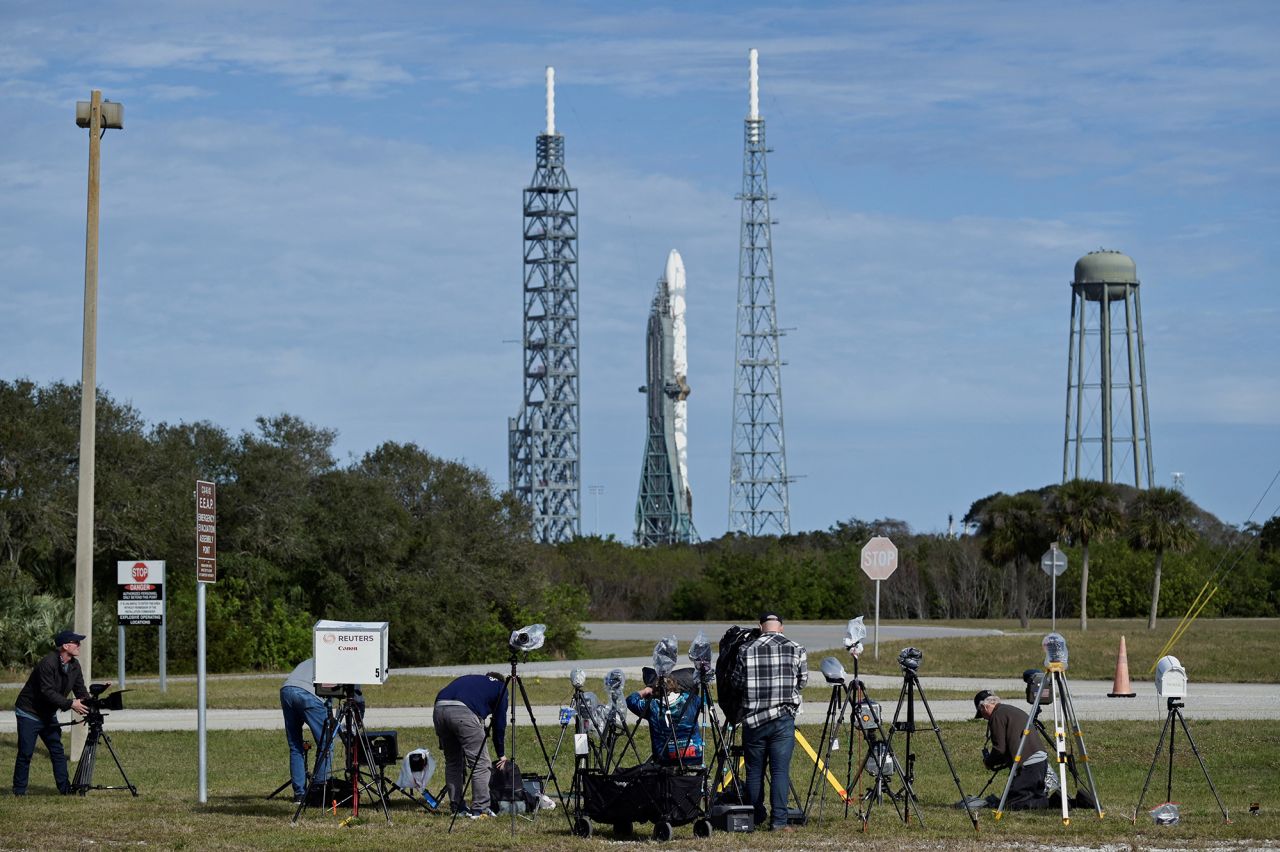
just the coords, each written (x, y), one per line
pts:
(758, 502)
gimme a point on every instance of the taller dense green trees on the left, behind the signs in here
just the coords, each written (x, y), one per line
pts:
(397, 535)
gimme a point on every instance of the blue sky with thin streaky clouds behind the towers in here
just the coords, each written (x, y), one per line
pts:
(317, 210)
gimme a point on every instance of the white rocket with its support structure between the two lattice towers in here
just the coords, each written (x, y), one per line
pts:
(665, 507)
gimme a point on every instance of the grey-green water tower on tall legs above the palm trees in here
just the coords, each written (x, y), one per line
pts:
(1099, 433)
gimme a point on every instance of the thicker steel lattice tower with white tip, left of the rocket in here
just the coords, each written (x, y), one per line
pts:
(545, 442)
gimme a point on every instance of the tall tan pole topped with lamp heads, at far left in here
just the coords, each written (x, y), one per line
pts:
(98, 117)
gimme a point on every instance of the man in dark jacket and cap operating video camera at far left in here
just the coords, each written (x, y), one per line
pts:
(56, 676)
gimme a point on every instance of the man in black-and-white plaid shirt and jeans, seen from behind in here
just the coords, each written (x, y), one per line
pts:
(771, 674)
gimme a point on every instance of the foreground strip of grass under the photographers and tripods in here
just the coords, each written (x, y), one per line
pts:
(244, 767)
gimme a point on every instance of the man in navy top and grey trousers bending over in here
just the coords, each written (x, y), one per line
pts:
(459, 717)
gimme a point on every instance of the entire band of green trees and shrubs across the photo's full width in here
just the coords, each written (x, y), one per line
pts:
(444, 555)
